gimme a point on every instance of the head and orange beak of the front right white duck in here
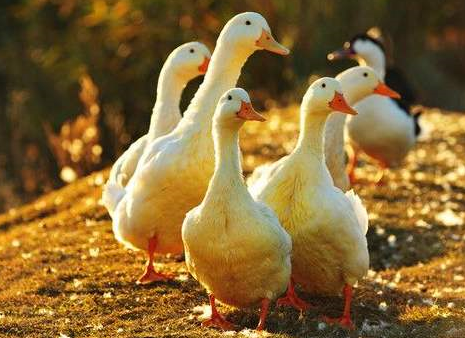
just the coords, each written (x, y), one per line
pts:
(325, 96)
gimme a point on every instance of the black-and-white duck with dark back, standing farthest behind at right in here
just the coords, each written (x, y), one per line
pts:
(384, 129)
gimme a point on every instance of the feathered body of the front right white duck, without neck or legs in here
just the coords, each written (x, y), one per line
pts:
(329, 243)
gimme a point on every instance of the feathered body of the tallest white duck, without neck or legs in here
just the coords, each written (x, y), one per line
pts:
(167, 185)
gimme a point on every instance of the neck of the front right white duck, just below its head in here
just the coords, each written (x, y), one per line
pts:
(311, 137)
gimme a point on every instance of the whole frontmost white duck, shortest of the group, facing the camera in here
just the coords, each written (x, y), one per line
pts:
(234, 245)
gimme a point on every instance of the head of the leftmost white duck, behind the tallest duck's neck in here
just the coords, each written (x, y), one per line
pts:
(190, 59)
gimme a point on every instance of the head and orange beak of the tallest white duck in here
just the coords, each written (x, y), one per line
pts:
(249, 32)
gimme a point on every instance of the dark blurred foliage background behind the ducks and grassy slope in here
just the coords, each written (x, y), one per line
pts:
(47, 46)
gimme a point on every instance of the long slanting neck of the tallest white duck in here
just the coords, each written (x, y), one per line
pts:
(223, 72)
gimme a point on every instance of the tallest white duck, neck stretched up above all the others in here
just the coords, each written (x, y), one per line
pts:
(173, 174)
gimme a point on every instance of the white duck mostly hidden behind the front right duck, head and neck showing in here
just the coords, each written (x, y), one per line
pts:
(357, 83)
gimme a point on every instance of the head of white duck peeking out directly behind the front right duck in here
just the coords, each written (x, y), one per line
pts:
(359, 82)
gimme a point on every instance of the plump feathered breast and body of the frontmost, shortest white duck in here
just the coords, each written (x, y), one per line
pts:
(237, 250)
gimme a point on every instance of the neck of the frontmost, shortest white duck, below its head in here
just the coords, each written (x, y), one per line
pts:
(227, 179)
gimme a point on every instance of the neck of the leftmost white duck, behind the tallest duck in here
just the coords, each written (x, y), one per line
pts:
(166, 113)
